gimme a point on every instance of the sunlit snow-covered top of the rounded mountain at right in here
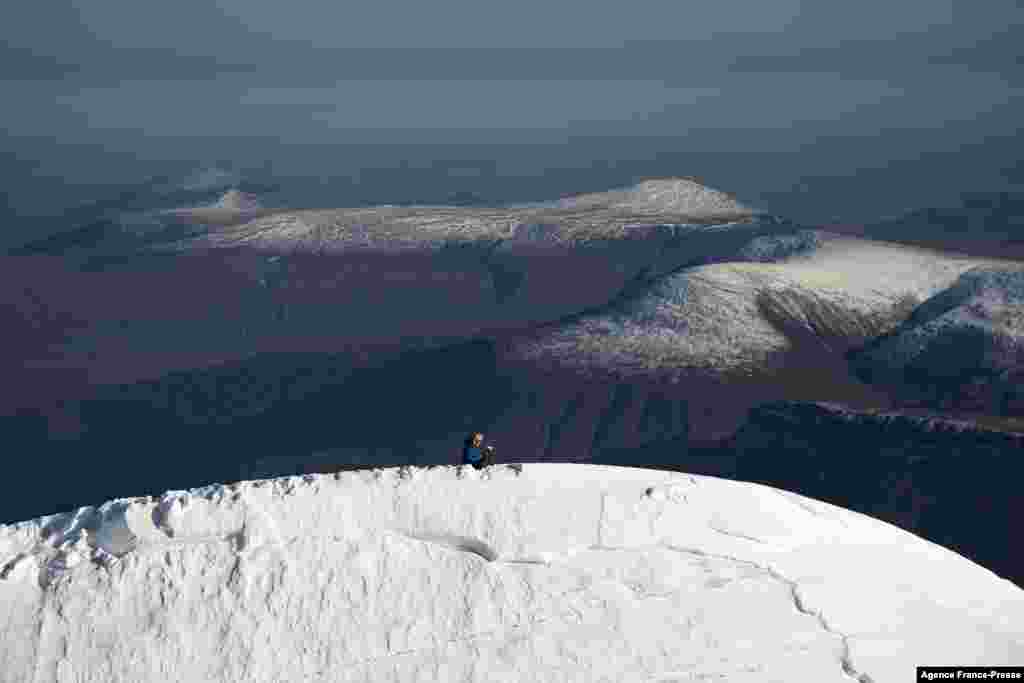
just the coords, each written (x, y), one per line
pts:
(727, 317)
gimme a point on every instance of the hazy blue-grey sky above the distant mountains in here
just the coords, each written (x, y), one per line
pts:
(810, 109)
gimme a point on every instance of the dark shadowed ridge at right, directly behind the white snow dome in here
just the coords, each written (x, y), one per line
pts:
(947, 481)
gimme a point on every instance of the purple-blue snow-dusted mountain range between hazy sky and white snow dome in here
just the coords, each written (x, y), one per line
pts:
(227, 339)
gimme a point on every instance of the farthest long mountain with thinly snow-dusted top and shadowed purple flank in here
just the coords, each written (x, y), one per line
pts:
(236, 282)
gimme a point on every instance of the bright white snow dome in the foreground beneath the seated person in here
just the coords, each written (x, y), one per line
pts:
(539, 573)
